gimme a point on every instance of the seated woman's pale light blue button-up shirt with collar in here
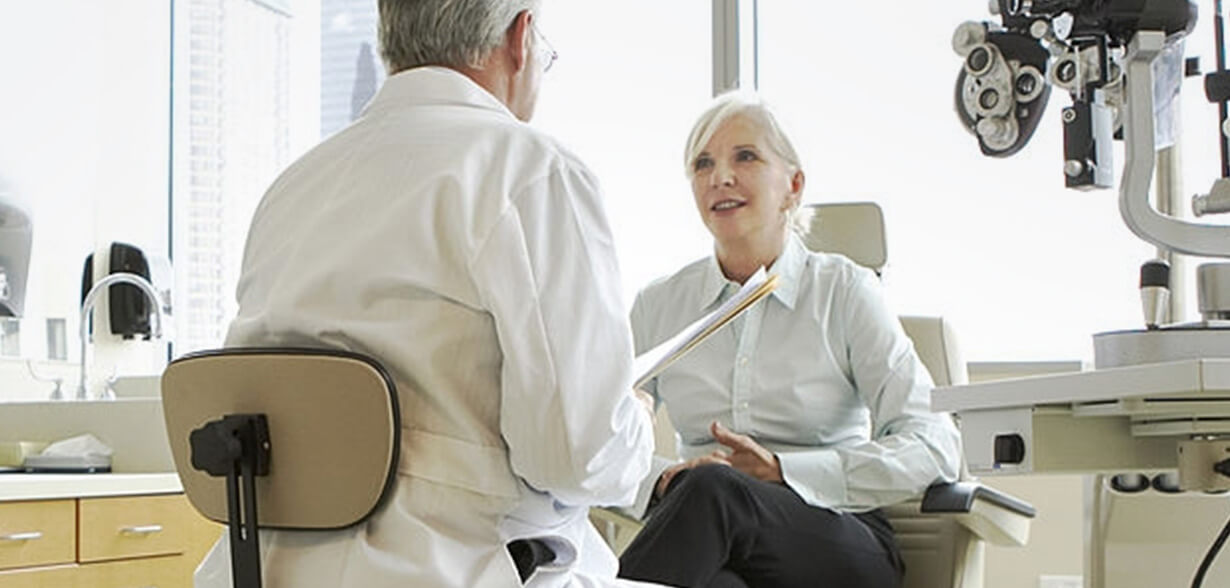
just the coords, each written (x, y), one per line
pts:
(821, 373)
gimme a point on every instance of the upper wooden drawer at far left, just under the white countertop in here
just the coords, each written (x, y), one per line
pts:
(38, 533)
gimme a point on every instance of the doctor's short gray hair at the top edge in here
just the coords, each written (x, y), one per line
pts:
(453, 34)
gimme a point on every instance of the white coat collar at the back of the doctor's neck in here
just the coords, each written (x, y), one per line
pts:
(434, 85)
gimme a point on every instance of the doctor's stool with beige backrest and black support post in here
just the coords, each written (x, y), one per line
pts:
(281, 439)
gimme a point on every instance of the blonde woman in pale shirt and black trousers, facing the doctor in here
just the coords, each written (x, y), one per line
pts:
(799, 421)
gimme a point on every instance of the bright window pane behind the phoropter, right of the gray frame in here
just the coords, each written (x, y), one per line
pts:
(1026, 269)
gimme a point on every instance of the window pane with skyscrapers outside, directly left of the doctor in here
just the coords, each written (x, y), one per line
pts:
(240, 65)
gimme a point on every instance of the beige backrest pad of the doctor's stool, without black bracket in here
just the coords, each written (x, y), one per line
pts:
(334, 429)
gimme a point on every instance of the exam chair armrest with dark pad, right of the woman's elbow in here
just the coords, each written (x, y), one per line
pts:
(993, 516)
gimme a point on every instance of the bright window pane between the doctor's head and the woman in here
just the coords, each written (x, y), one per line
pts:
(624, 95)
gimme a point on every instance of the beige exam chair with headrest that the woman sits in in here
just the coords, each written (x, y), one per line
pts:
(944, 533)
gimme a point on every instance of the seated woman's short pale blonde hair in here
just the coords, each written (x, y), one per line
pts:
(728, 106)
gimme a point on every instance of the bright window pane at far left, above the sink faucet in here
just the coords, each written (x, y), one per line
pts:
(84, 143)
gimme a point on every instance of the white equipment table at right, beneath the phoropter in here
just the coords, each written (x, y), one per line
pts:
(1110, 421)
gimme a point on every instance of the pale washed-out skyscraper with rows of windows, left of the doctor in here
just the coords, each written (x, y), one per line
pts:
(236, 114)
